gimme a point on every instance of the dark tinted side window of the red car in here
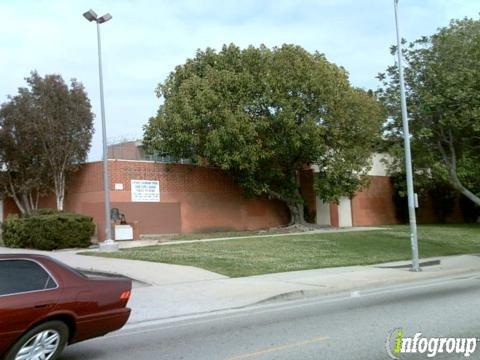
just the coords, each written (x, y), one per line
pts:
(18, 276)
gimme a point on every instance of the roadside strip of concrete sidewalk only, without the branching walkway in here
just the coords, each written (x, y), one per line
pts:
(176, 300)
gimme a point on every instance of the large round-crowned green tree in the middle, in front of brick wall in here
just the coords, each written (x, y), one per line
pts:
(262, 115)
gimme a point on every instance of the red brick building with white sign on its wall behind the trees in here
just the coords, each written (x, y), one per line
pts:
(163, 198)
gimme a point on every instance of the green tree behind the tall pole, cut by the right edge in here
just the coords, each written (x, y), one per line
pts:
(443, 94)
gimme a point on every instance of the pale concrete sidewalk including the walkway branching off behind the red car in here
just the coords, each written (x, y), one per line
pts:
(177, 291)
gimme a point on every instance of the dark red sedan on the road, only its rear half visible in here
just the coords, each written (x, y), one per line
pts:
(45, 305)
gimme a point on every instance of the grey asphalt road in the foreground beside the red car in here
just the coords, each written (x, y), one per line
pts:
(346, 326)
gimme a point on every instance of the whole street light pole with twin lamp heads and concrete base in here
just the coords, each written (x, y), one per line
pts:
(108, 244)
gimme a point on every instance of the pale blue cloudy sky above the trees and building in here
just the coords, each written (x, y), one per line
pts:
(145, 40)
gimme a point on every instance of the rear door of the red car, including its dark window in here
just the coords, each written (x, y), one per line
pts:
(27, 294)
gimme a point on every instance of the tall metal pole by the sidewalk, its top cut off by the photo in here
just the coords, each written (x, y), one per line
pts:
(408, 156)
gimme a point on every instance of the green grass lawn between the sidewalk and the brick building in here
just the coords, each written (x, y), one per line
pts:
(246, 257)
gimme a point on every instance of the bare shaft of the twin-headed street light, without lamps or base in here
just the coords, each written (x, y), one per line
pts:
(106, 181)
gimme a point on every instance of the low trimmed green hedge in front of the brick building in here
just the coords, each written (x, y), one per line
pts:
(47, 230)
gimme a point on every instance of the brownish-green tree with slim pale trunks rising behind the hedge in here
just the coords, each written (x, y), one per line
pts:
(46, 130)
